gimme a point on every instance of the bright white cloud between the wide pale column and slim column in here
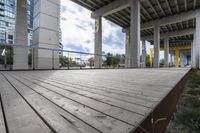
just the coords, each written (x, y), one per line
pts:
(77, 26)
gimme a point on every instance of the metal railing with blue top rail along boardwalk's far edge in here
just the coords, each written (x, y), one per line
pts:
(52, 58)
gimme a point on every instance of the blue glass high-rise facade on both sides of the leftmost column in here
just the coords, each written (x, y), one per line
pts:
(7, 20)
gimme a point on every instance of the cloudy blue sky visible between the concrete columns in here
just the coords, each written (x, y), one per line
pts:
(77, 28)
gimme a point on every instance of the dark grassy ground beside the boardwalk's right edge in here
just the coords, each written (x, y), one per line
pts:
(186, 119)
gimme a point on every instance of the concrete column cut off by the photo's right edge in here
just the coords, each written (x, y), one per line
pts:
(197, 41)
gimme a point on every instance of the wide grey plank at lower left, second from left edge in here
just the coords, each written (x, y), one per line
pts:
(19, 115)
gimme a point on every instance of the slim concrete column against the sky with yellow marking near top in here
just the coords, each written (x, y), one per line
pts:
(98, 43)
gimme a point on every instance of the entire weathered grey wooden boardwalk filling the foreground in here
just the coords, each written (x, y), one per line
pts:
(90, 101)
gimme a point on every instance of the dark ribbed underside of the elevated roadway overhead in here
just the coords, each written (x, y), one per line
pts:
(151, 10)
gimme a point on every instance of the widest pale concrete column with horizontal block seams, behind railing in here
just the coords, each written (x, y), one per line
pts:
(46, 22)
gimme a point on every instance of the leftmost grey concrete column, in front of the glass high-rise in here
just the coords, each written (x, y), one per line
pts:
(20, 60)
